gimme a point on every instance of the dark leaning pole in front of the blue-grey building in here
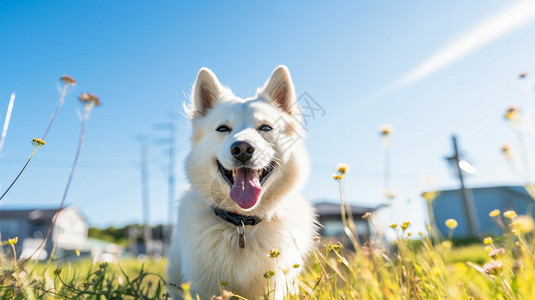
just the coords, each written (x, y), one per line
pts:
(466, 195)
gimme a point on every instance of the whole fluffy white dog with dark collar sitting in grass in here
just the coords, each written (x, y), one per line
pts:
(246, 167)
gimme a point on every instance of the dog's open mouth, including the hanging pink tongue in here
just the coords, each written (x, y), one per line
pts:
(245, 183)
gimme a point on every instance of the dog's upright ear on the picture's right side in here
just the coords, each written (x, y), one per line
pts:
(280, 89)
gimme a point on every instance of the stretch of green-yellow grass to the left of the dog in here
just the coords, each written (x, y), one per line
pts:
(82, 279)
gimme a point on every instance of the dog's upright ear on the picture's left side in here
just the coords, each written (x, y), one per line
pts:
(206, 91)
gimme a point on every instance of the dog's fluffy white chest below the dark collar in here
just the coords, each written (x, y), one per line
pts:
(217, 257)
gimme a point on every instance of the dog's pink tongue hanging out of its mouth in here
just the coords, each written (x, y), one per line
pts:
(246, 188)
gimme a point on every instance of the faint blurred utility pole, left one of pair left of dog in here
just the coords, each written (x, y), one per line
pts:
(147, 232)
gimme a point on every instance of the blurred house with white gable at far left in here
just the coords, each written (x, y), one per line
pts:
(30, 226)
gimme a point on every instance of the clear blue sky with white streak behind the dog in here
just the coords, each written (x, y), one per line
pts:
(430, 69)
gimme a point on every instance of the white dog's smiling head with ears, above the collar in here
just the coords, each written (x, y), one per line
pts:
(246, 153)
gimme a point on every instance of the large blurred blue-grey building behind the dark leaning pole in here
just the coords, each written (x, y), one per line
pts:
(448, 204)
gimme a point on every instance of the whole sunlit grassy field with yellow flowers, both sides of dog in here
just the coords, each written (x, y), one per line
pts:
(418, 269)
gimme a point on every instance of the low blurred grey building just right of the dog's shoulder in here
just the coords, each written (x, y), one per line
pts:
(330, 217)
